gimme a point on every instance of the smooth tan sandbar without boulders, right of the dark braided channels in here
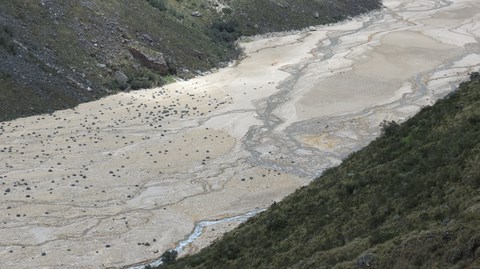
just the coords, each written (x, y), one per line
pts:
(400, 55)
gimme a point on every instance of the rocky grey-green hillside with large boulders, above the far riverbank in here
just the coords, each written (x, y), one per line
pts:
(57, 54)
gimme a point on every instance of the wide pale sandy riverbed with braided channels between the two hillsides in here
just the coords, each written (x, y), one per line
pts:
(118, 181)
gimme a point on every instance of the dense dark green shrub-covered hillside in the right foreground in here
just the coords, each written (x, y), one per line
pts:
(410, 199)
